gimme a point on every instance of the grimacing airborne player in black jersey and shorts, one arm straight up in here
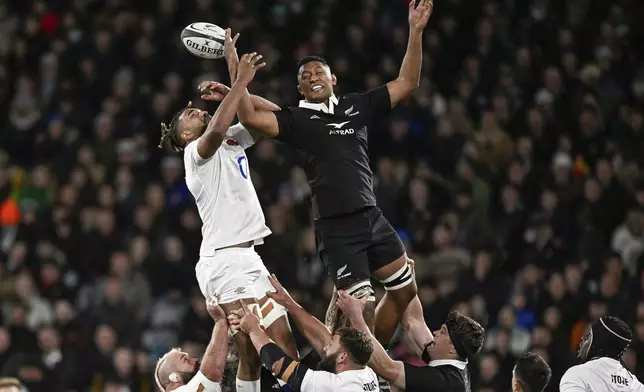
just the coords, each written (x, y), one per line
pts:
(354, 239)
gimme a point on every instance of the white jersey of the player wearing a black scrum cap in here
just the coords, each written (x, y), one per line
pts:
(600, 375)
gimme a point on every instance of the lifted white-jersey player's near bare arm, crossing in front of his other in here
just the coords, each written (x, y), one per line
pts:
(214, 135)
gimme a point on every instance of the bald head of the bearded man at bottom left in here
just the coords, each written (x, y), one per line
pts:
(174, 369)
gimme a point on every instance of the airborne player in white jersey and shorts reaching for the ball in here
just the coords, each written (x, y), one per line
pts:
(218, 177)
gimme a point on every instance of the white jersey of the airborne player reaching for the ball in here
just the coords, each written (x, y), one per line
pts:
(224, 193)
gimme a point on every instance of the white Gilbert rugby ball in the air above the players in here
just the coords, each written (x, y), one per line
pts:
(204, 40)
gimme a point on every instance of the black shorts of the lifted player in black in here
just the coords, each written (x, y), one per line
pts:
(353, 246)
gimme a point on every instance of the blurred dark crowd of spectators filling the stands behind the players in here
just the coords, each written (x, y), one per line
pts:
(514, 174)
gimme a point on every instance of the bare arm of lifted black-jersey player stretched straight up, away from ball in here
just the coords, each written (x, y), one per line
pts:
(409, 76)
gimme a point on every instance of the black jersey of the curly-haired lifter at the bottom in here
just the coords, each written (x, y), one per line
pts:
(429, 379)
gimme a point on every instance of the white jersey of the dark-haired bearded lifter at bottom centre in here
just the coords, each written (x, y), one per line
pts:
(349, 381)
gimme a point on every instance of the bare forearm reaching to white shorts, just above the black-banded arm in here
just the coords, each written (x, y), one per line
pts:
(316, 333)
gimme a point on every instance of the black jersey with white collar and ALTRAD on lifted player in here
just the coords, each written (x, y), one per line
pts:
(333, 149)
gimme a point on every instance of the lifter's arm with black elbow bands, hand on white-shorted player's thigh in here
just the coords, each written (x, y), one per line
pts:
(272, 356)
